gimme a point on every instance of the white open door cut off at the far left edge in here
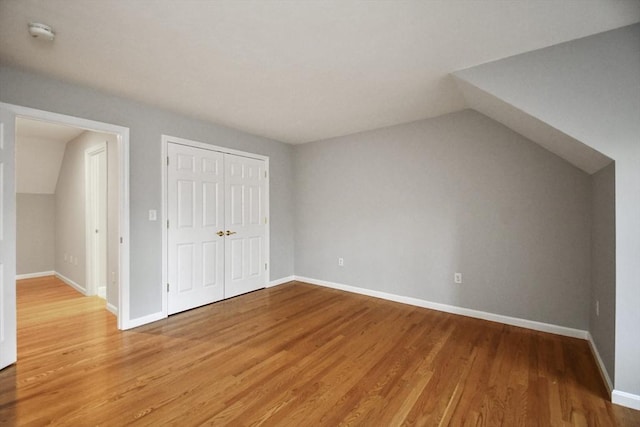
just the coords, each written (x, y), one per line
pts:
(8, 349)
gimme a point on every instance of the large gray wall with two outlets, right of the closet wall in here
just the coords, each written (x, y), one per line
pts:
(407, 206)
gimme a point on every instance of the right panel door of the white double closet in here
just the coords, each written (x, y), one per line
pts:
(245, 225)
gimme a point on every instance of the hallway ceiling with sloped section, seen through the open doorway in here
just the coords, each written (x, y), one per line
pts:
(39, 152)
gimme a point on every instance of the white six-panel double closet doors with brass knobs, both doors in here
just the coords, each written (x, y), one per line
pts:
(216, 226)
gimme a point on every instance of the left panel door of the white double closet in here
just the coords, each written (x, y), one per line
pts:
(195, 227)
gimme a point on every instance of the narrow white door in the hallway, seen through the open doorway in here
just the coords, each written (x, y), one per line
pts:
(96, 195)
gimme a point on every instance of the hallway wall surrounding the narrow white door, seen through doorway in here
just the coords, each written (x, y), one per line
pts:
(70, 226)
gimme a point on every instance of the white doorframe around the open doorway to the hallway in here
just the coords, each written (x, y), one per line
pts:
(122, 133)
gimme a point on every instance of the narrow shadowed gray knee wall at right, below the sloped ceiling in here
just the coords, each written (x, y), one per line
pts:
(603, 265)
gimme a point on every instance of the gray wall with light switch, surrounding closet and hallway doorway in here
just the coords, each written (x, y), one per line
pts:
(146, 126)
